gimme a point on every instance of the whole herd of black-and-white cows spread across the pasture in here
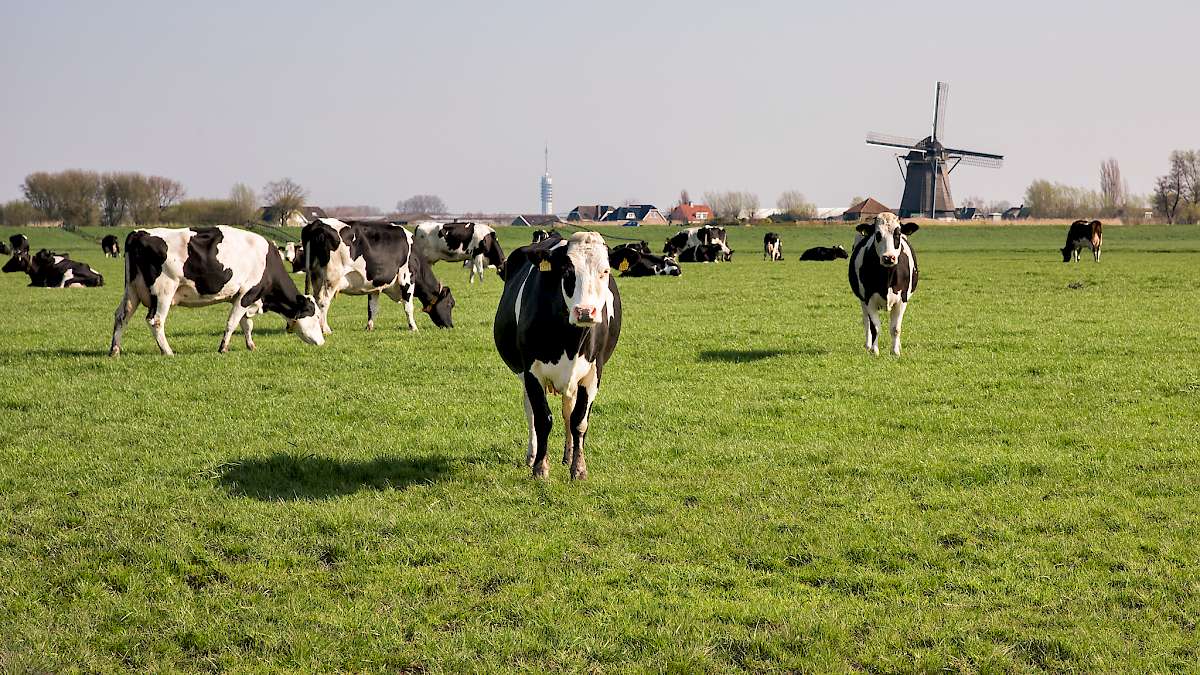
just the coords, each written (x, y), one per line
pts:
(559, 319)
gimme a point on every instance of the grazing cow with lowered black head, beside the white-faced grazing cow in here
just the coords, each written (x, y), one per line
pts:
(368, 259)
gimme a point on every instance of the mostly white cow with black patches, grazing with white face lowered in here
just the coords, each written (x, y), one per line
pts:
(205, 266)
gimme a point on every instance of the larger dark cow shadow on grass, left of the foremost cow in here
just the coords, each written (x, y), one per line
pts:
(287, 477)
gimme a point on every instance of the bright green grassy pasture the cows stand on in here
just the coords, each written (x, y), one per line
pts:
(1018, 492)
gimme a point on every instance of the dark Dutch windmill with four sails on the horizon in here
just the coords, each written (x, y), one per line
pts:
(927, 182)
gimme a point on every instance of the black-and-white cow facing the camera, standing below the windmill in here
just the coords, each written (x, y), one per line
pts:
(884, 276)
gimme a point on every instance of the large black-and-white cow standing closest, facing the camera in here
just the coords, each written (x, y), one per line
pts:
(556, 326)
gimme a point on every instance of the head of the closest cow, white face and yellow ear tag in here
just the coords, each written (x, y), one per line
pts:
(581, 268)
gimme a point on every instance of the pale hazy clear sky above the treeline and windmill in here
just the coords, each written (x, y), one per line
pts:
(370, 103)
